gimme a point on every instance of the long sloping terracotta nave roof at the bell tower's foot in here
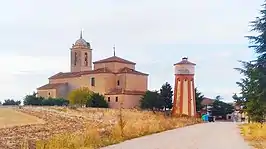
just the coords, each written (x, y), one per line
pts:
(62, 75)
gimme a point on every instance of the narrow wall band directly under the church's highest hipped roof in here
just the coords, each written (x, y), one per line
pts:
(114, 66)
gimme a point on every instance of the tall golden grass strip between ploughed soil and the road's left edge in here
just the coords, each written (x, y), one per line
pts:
(126, 125)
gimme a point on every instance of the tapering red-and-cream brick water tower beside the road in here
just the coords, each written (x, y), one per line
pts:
(184, 90)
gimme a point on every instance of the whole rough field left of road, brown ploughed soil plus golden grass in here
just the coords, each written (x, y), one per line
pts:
(85, 127)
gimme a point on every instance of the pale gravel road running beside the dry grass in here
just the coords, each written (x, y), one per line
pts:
(218, 135)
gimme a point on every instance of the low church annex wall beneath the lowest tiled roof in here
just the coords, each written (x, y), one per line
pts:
(128, 101)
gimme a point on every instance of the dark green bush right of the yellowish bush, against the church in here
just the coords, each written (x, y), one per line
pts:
(97, 100)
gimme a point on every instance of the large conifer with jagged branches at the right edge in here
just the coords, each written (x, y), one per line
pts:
(252, 97)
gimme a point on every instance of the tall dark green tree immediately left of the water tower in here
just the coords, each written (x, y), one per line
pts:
(166, 94)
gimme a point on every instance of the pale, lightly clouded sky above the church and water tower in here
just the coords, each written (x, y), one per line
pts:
(36, 36)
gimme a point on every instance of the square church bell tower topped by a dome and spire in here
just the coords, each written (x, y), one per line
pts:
(81, 55)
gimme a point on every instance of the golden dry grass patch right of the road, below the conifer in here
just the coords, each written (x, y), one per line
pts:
(255, 133)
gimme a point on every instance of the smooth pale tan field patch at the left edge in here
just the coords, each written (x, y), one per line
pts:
(10, 118)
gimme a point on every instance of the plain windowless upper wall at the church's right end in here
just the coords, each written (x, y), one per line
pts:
(136, 82)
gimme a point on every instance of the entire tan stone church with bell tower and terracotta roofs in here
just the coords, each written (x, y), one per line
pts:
(113, 77)
